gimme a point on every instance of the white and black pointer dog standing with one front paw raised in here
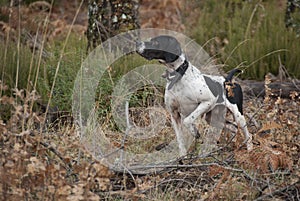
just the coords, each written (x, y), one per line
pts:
(189, 93)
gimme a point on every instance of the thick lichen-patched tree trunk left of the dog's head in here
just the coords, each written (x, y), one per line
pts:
(108, 18)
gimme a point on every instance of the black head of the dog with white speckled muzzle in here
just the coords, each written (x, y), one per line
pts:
(164, 48)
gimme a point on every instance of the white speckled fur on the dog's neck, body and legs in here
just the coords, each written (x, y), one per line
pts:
(190, 98)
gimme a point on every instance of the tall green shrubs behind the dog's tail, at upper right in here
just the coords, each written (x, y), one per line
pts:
(248, 34)
